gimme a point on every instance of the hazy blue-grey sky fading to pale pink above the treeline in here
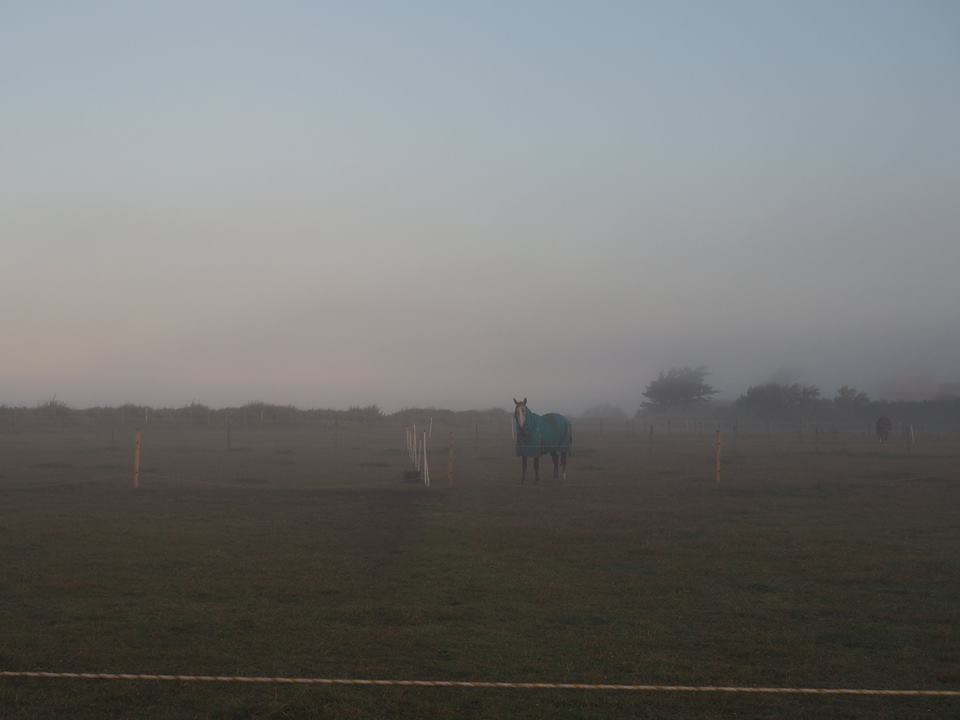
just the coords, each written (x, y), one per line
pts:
(452, 204)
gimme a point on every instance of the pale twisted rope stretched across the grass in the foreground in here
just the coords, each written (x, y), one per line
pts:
(487, 685)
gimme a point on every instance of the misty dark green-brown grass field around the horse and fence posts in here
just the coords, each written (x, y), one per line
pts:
(299, 552)
